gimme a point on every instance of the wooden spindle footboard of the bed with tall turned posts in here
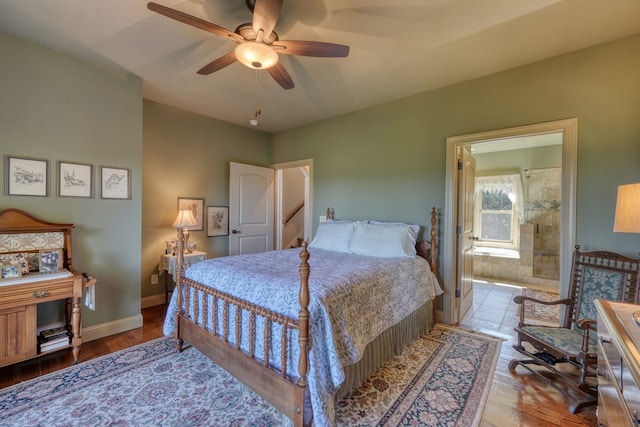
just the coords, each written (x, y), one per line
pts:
(284, 390)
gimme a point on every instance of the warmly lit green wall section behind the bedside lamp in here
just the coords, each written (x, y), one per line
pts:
(188, 155)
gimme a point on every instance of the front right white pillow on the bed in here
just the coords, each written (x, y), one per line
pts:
(383, 240)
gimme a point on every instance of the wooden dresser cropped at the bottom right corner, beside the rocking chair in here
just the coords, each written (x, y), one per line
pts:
(618, 364)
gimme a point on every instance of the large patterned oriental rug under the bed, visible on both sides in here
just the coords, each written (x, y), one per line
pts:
(442, 379)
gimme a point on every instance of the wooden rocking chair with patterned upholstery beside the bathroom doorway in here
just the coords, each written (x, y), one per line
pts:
(594, 275)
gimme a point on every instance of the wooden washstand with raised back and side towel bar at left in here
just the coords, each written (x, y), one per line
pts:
(26, 236)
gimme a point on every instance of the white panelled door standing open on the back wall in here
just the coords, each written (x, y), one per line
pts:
(251, 209)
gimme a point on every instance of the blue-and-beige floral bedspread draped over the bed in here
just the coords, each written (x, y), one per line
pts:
(353, 299)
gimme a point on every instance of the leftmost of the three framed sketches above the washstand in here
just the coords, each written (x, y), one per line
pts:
(27, 177)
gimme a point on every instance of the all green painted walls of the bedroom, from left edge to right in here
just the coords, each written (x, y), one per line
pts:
(385, 162)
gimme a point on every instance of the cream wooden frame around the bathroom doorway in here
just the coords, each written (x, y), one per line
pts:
(452, 275)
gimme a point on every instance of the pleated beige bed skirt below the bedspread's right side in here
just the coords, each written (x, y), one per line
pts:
(387, 345)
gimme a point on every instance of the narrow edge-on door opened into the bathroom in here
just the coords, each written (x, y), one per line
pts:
(466, 206)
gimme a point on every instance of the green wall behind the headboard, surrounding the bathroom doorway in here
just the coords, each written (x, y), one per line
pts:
(388, 162)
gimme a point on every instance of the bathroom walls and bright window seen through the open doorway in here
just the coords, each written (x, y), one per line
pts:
(518, 202)
